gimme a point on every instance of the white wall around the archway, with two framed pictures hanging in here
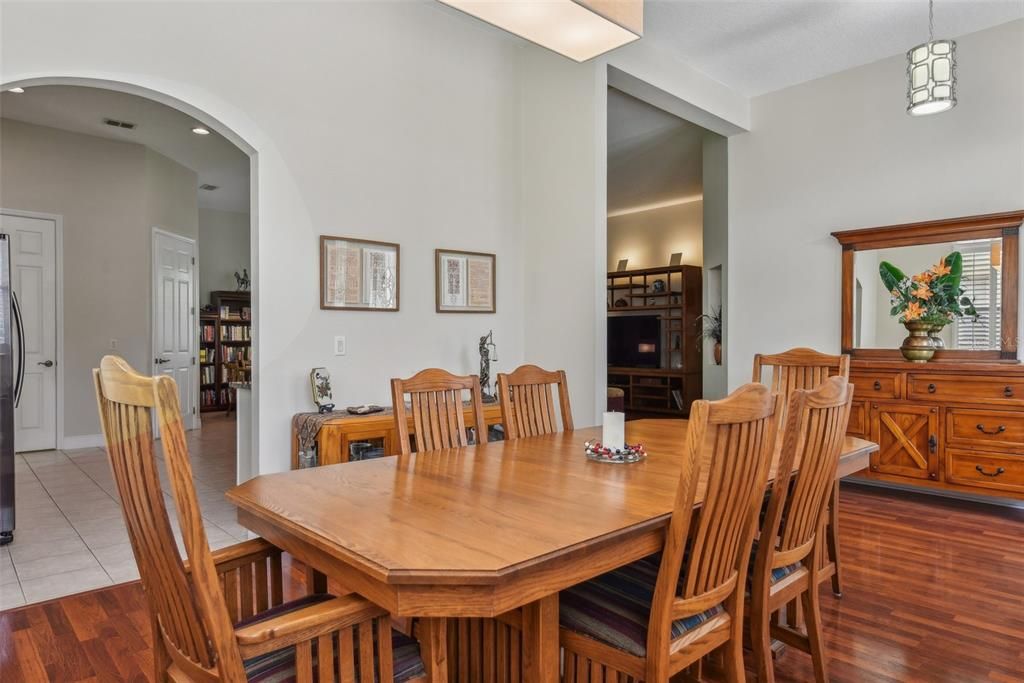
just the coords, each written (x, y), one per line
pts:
(396, 121)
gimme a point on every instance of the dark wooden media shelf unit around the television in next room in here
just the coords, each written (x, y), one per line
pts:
(669, 391)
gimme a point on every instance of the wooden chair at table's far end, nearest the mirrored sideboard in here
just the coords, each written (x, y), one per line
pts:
(807, 369)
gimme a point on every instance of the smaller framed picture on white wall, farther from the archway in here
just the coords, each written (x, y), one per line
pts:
(464, 282)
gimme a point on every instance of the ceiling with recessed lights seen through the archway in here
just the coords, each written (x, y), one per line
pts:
(161, 129)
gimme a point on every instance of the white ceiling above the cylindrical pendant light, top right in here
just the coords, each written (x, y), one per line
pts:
(759, 47)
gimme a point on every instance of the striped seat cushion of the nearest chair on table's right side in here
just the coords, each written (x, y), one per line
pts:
(615, 609)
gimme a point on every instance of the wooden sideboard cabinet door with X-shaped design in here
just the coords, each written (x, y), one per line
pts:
(909, 440)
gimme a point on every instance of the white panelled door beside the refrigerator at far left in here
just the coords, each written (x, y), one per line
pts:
(33, 251)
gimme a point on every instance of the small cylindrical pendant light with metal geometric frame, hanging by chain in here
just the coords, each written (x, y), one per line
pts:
(931, 74)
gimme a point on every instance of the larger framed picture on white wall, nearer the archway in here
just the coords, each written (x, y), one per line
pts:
(359, 275)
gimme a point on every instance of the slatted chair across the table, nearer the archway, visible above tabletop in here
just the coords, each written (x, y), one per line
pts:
(438, 410)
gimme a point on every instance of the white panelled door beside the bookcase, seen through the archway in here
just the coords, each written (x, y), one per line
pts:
(175, 330)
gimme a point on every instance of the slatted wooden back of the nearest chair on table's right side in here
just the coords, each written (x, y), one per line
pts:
(729, 452)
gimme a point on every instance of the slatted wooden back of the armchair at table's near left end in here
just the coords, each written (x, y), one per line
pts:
(189, 608)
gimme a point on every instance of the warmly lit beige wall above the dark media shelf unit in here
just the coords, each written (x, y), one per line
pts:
(650, 238)
